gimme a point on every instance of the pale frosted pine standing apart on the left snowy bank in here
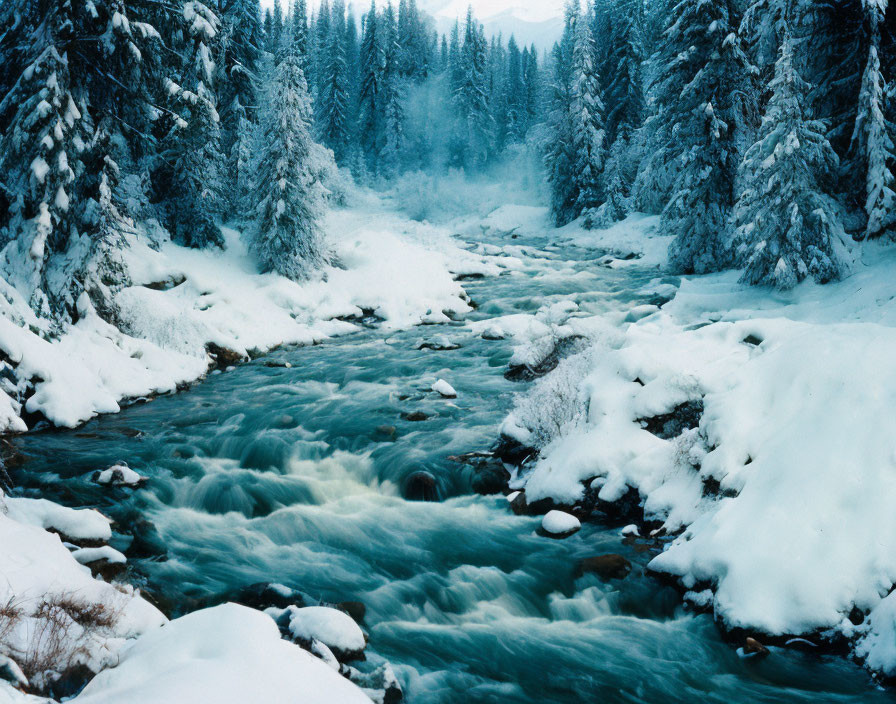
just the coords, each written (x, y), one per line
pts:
(288, 237)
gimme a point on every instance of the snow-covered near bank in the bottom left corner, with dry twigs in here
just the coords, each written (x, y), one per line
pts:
(56, 619)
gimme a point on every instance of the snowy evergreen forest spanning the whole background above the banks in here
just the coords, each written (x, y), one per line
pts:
(761, 131)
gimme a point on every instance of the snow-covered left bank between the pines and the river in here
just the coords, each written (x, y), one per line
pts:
(182, 300)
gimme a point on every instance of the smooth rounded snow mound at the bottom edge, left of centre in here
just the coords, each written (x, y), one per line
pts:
(226, 654)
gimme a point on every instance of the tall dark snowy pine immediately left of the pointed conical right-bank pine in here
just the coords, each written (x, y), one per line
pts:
(699, 104)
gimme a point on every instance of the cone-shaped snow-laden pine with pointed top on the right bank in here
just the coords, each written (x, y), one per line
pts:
(787, 227)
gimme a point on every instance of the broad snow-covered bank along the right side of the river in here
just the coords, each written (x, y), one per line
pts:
(752, 424)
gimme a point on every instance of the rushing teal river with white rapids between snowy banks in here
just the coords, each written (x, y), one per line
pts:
(296, 475)
